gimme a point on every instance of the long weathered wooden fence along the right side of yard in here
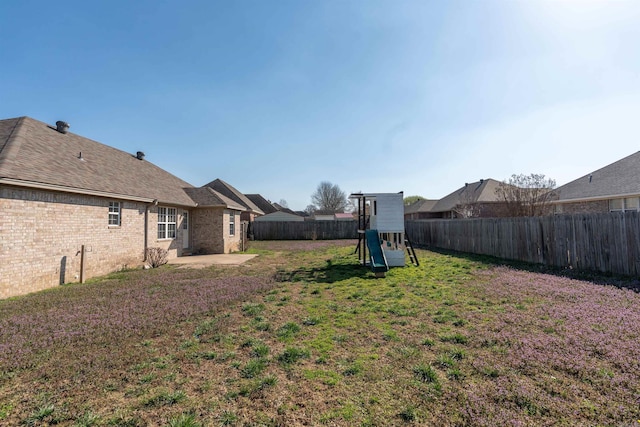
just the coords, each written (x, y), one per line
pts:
(606, 242)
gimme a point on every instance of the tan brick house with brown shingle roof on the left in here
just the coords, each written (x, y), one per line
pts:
(72, 208)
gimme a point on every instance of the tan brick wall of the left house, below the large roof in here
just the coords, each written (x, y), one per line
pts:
(42, 233)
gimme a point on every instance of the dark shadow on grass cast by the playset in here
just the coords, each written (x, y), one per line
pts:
(329, 273)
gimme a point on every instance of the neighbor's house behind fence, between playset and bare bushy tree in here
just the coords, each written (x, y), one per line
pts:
(473, 200)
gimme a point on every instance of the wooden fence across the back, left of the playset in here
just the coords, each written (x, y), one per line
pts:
(304, 230)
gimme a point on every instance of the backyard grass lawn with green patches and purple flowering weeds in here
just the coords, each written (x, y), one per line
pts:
(303, 335)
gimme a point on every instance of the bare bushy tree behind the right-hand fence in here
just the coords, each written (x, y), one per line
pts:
(527, 195)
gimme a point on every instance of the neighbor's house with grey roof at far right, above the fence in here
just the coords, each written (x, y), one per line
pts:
(615, 187)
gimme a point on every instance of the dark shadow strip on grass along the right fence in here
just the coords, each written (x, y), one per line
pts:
(597, 277)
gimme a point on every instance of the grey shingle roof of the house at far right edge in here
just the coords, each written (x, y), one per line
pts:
(619, 179)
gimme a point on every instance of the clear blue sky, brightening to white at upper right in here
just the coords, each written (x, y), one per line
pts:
(376, 96)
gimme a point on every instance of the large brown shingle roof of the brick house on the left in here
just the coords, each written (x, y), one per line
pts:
(36, 155)
